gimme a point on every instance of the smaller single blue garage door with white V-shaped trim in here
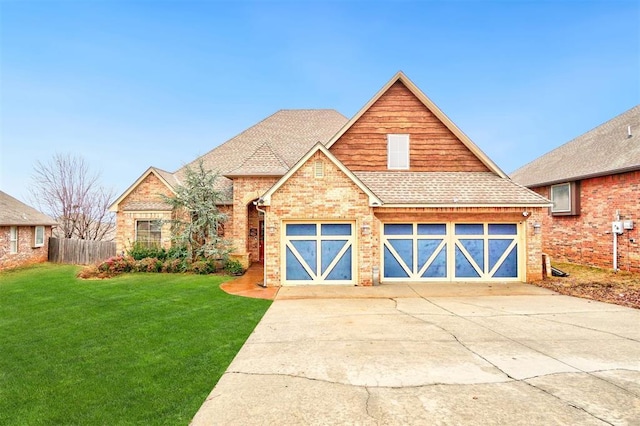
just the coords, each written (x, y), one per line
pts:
(318, 253)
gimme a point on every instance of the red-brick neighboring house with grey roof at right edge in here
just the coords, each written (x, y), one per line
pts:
(594, 184)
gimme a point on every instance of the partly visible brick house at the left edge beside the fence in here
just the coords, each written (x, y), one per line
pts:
(24, 233)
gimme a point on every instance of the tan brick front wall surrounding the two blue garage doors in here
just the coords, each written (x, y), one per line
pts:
(336, 197)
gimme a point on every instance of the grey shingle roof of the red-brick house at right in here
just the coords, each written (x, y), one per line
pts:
(605, 150)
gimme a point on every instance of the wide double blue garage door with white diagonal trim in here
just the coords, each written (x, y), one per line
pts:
(450, 251)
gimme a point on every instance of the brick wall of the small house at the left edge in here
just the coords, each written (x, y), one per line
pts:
(27, 253)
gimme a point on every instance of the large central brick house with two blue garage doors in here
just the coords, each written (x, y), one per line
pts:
(397, 193)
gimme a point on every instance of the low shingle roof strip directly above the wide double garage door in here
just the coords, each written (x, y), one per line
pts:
(448, 188)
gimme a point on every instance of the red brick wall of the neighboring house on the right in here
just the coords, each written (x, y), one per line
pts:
(586, 238)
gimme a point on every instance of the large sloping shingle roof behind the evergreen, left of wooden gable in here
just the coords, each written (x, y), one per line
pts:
(289, 134)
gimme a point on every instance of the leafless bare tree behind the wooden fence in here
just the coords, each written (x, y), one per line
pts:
(66, 189)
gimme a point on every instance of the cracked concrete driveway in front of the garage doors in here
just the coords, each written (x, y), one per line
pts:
(425, 354)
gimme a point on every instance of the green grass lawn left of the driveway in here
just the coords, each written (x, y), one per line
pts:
(136, 349)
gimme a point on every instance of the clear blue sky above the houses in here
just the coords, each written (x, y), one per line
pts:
(133, 84)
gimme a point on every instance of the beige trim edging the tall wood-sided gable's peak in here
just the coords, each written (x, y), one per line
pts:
(400, 76)
